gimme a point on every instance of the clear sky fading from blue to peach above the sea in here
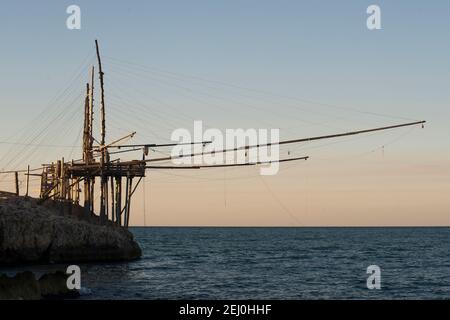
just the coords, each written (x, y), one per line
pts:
(305, 67)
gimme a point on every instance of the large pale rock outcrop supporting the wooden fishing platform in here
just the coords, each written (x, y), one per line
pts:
(32, 232)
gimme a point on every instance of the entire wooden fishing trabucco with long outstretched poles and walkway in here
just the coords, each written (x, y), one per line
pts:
(72, 182)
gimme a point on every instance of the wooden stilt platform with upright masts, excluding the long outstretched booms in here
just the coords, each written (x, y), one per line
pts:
(64, 181)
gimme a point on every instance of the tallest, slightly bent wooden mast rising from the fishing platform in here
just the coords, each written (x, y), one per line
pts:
(103, 185)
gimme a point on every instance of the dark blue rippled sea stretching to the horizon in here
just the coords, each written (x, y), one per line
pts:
(277, 263)
